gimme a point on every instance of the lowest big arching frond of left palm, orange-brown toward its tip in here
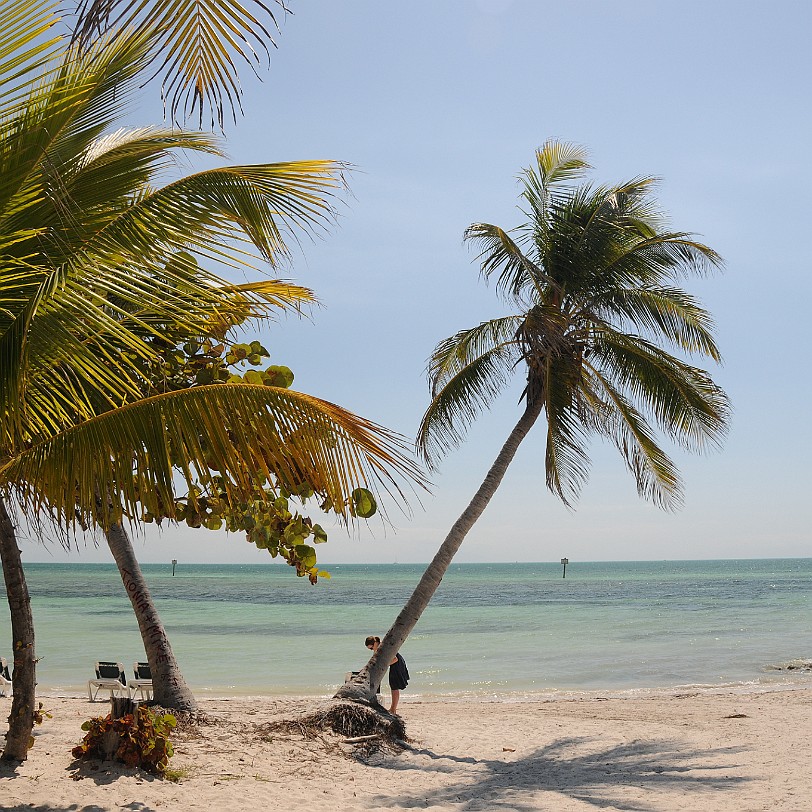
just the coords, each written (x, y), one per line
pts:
(239, 430)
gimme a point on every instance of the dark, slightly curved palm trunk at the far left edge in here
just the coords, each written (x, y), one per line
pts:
(24, 677)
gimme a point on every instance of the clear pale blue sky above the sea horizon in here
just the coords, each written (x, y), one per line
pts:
(438, 106)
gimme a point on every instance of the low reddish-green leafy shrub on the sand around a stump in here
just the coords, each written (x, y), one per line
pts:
(143, 739)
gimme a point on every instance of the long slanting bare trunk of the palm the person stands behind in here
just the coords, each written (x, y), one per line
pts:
(361, 688)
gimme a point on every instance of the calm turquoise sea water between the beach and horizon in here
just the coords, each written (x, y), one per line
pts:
(491, 629)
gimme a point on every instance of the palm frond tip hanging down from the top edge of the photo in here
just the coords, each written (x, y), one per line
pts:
(199, 45)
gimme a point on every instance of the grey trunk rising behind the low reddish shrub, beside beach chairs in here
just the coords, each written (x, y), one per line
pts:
(169, 689)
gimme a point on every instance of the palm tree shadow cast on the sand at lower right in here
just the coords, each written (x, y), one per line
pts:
(596, 777)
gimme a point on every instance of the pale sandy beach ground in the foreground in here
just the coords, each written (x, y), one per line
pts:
(721, 751)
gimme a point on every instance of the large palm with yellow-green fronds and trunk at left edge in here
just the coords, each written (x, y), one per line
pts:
(95, 263)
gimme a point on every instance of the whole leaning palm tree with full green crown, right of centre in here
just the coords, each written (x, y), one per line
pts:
(591, 276)
